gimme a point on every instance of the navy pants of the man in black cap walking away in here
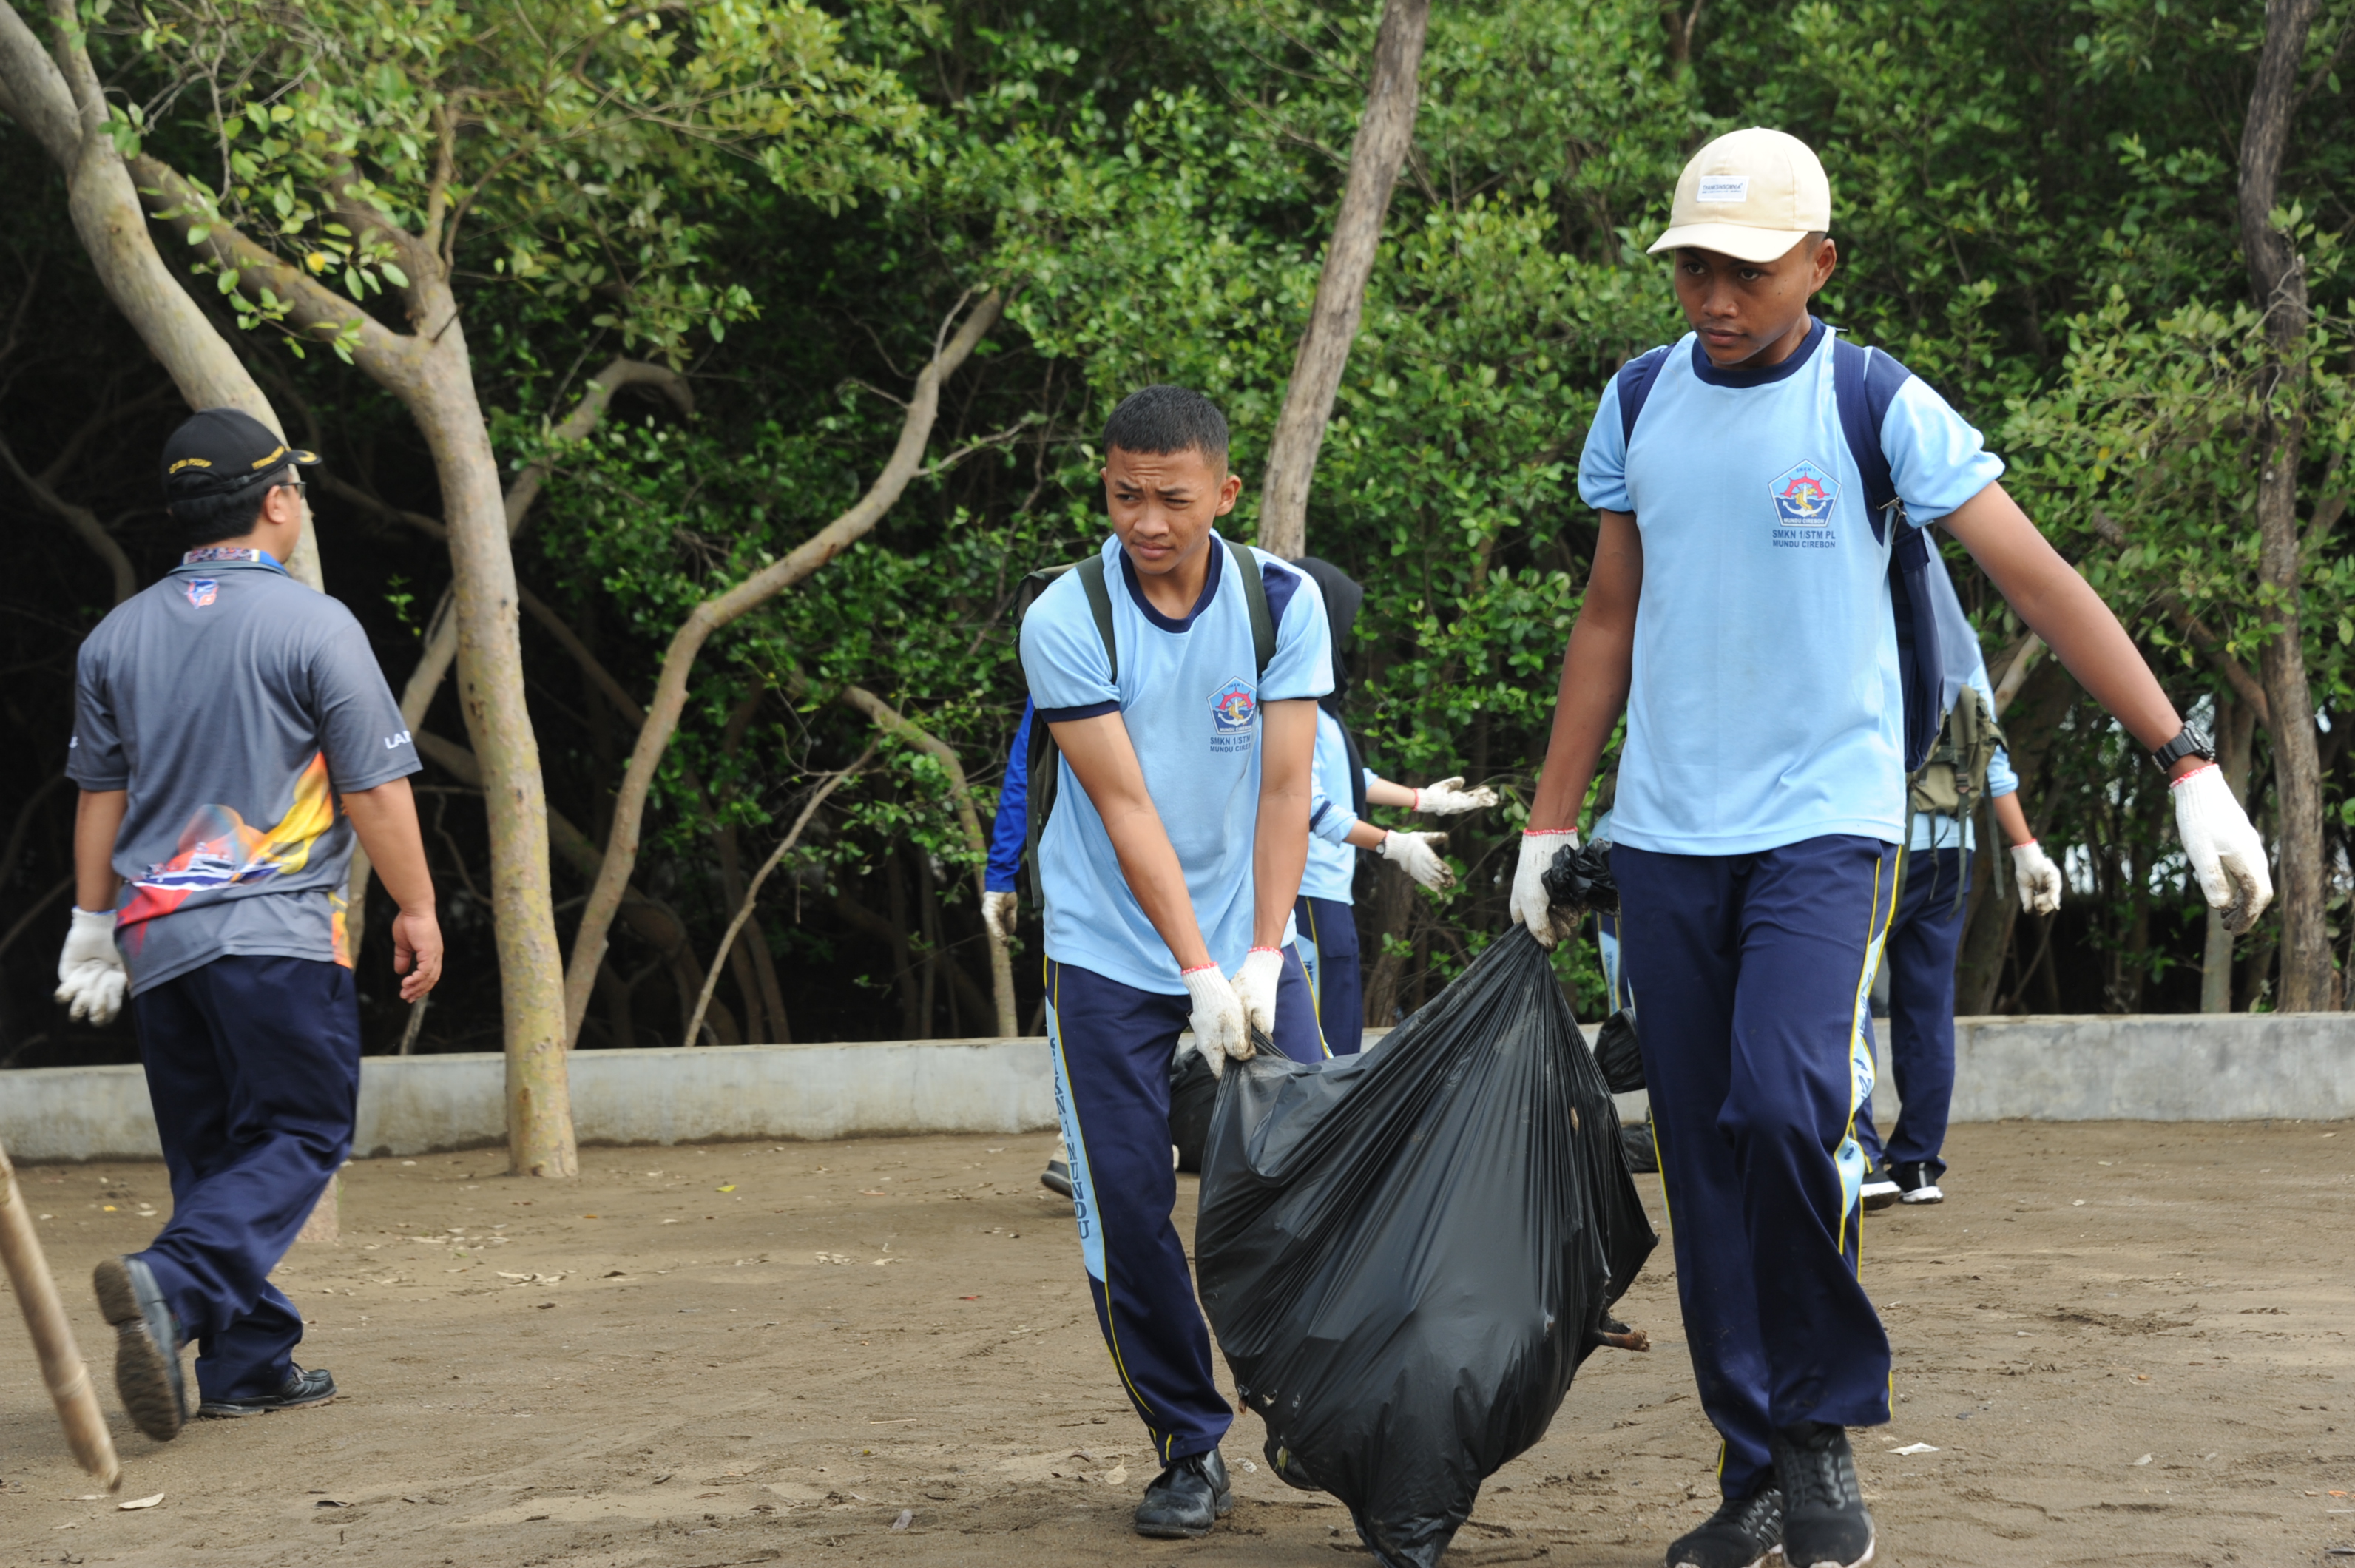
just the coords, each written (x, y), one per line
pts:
(256, 1077)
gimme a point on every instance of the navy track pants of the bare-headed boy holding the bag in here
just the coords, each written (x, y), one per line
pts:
(1113, 1091)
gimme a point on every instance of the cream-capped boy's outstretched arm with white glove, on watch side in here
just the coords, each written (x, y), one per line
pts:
(2062, 609)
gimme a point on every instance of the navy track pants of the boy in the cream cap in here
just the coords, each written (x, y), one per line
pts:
(1756, 978)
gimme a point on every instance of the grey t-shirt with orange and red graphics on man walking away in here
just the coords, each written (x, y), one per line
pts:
(234, 705)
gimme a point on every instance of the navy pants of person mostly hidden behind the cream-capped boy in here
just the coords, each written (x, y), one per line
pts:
(1923, 945)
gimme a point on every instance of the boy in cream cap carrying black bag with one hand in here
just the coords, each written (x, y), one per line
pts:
(1742, 613)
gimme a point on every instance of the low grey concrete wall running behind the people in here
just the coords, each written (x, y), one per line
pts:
(2156, 1068)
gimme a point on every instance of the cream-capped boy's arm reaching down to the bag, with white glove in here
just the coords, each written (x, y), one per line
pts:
(1596, 675)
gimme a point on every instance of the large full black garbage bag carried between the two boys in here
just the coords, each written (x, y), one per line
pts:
(1407, 1254)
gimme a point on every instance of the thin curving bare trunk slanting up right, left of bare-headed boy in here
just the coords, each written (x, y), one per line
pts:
(712, 616)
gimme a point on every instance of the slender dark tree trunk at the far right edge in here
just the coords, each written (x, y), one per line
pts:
(2278, 281)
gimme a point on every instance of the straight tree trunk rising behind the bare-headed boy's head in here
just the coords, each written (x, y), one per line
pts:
(1384, 138)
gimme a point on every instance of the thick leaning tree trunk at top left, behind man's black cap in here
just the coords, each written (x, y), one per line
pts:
(62, 105)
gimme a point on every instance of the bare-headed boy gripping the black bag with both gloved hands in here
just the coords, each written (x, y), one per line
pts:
(1179, 679)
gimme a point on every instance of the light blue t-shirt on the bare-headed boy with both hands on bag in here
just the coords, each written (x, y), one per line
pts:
(1190, 700)
